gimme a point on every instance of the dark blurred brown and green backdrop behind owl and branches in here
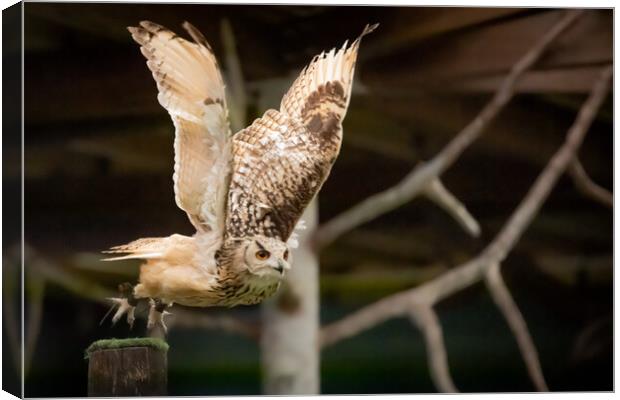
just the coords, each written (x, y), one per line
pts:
(98, 168)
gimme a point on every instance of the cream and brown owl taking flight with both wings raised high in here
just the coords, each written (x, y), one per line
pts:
(244, 193)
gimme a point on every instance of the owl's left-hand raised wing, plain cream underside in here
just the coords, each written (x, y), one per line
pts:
(191, 89)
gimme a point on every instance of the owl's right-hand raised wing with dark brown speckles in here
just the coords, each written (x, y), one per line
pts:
(283, 158)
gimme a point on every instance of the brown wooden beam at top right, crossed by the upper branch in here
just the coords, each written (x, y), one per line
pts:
(492, 49)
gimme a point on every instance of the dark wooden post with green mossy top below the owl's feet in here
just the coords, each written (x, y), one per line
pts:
(127, 367)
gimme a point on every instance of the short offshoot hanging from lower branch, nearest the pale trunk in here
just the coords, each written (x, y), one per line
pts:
(426, 319)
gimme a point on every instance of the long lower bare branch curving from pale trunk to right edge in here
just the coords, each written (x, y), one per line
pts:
(473, 270)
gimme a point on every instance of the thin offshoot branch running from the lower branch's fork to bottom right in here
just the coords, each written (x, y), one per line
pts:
(502, 297)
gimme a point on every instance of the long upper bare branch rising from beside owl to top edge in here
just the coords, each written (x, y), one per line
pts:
(415, 182)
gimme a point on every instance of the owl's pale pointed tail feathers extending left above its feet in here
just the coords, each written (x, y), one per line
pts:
(149, 248)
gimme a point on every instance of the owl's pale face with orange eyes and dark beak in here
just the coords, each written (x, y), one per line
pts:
(267, 257)
